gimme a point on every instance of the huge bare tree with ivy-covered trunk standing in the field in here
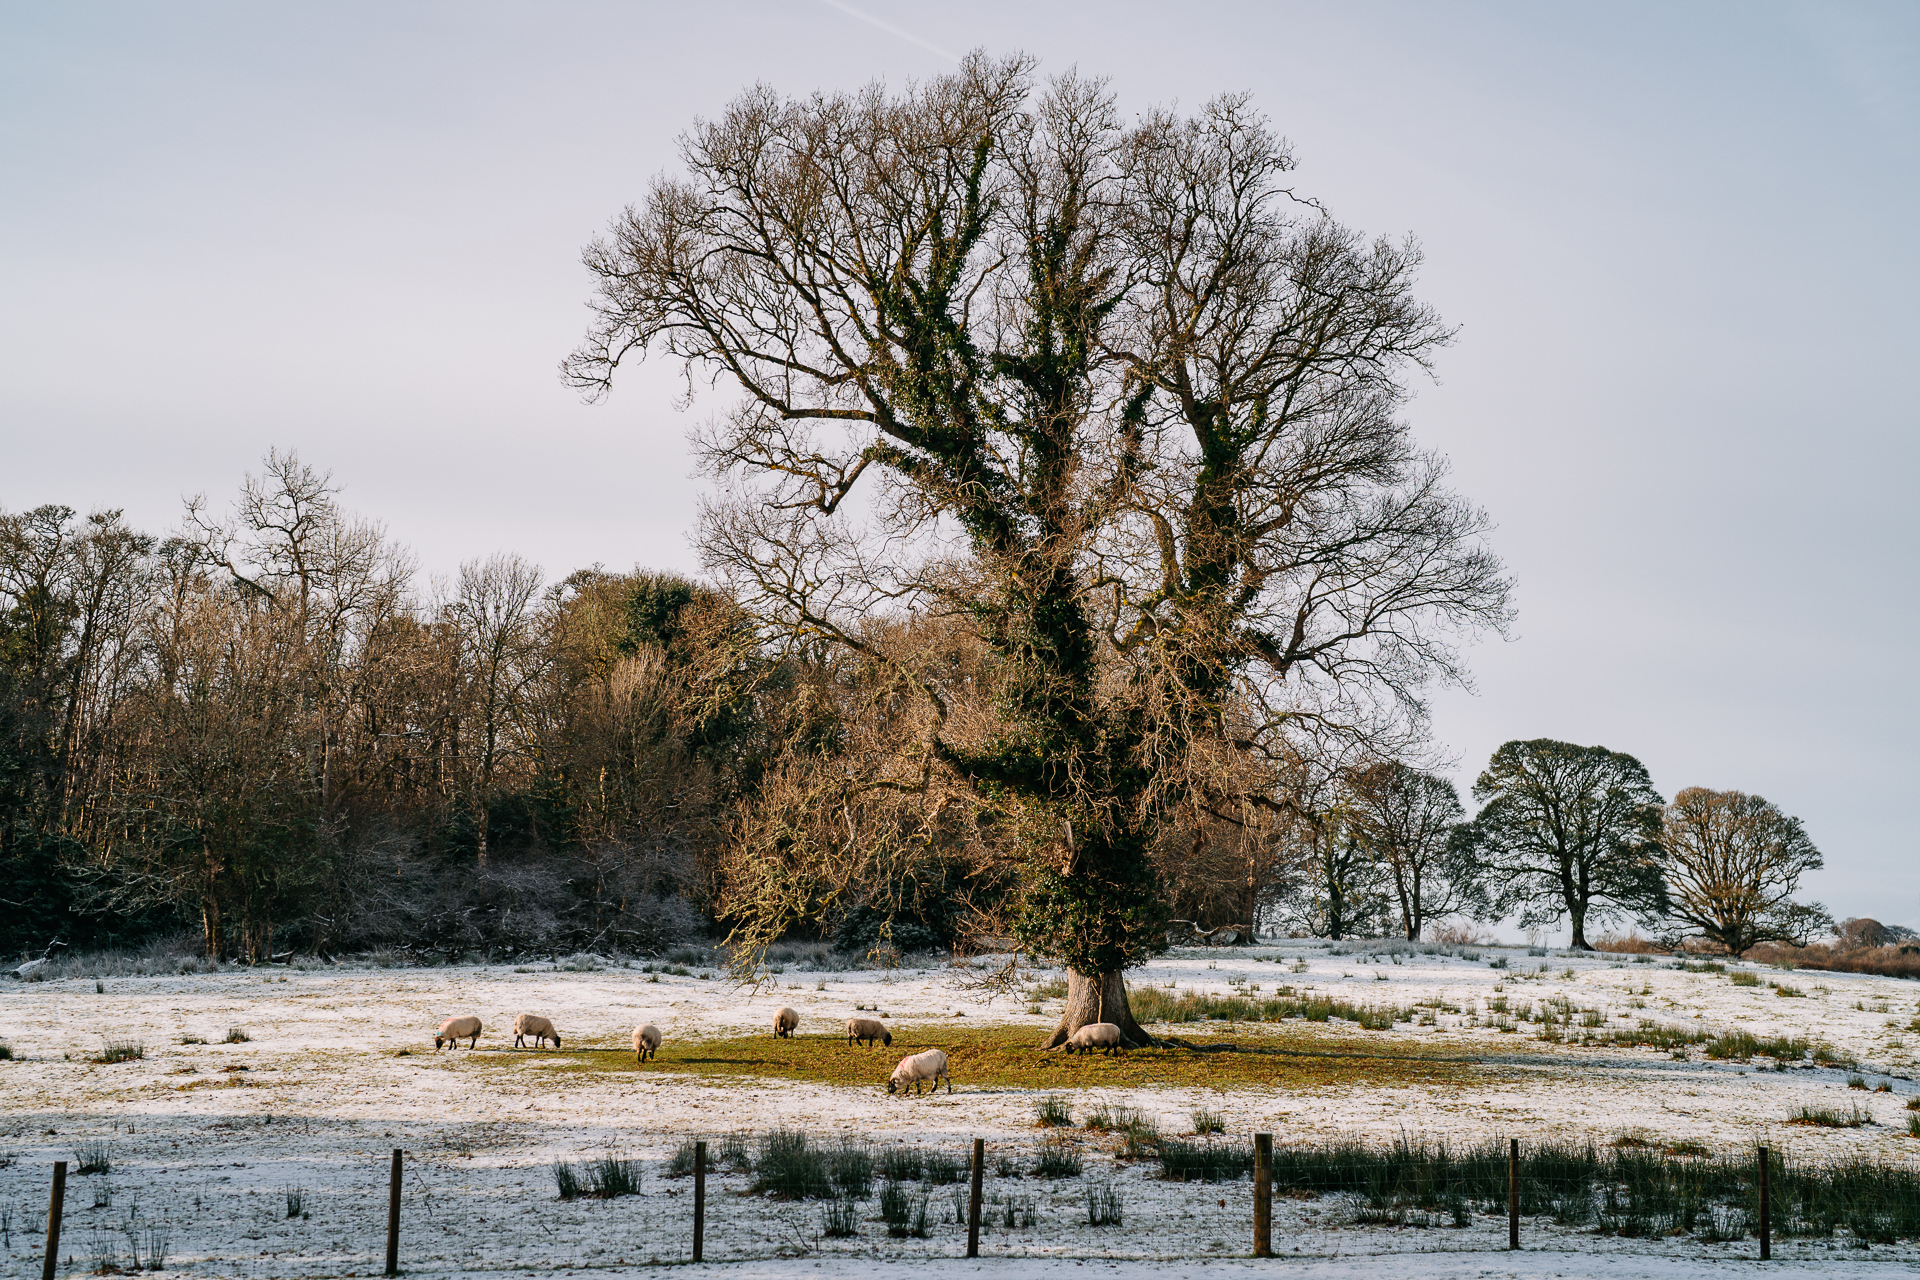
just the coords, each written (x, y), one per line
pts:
(1109, 394)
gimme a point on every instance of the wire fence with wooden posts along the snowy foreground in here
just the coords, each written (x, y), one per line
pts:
(1113, 1191)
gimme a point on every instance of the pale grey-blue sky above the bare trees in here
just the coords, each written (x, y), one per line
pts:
(1679, 243)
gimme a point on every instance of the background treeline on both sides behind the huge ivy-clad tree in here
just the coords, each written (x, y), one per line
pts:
(270, 732)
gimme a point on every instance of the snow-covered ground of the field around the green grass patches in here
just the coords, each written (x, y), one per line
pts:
(339, 1070)
